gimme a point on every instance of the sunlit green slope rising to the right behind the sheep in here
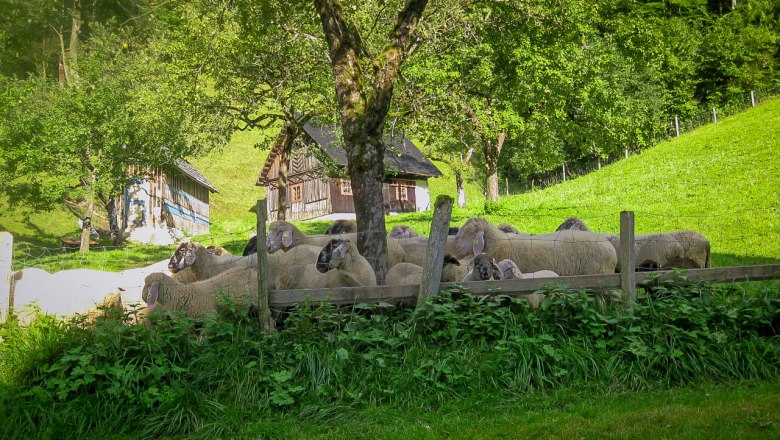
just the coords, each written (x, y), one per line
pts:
(720, 180)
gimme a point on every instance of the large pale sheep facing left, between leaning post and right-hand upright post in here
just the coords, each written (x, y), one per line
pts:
(564, 252)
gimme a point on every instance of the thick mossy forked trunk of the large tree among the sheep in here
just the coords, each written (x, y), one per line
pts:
(363, 109)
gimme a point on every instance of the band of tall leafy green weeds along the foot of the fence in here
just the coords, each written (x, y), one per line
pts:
(205, 379)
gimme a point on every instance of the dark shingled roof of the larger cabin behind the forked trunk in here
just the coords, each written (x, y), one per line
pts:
(400, 155)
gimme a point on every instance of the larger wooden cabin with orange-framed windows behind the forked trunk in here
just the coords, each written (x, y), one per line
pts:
(315, 188)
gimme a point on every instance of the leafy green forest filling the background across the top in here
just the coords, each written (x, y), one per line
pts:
(500, 87)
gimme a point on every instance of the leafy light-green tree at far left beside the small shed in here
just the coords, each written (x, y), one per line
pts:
(121, 104)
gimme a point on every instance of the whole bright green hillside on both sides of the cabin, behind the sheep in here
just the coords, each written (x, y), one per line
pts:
(719, 180)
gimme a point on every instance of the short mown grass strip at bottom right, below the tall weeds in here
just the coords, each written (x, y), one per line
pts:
(733, 411)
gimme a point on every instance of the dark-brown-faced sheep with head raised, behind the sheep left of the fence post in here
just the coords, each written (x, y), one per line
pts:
(201, 264)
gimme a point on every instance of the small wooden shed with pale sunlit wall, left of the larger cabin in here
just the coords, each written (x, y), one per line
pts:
(166, 203)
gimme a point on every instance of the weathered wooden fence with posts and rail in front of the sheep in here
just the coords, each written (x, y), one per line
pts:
(626, 281)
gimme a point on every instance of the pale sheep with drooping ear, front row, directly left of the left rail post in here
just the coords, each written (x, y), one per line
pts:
(195, 299)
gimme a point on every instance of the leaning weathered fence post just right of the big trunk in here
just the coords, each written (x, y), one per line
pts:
(437, 241)
